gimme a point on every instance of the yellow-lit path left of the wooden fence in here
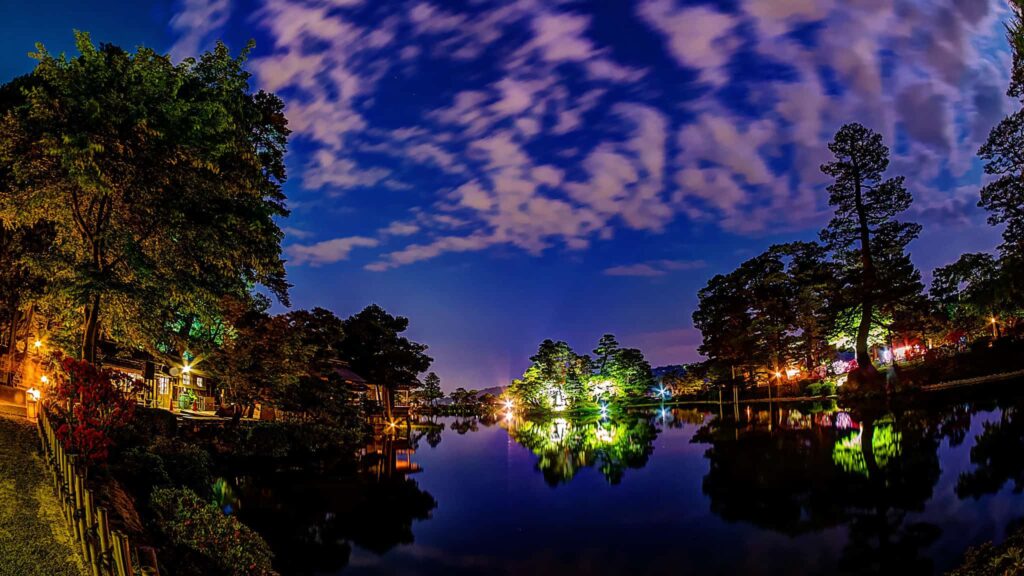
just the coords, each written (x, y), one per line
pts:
(34, 538)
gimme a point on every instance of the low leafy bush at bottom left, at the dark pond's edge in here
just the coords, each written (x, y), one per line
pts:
(227, 545)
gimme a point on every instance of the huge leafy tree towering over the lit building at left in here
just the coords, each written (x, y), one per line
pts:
(162, 181)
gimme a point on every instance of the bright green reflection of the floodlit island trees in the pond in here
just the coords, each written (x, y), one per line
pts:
(565, 446)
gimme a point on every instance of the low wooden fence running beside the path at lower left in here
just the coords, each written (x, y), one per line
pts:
(107, 553)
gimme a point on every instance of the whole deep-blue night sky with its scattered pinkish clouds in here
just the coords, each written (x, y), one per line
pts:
(506, 172)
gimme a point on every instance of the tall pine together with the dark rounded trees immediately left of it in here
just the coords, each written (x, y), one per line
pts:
(793, 304)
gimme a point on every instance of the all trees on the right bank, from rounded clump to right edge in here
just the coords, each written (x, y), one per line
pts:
(858, 287)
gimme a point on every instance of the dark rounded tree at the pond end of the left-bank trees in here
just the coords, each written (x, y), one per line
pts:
(375, 348)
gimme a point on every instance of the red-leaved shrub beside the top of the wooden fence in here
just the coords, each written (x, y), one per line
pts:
(91, 404)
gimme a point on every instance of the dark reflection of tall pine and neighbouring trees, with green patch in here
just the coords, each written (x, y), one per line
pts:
(796, 473)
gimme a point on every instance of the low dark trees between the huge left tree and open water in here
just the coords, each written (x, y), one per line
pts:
(290, 360)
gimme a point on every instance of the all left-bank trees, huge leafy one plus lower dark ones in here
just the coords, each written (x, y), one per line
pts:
(139, 203)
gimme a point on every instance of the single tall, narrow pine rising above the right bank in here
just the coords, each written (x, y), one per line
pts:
(864, 236)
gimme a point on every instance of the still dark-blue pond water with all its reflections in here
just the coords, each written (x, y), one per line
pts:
(800, 489)
